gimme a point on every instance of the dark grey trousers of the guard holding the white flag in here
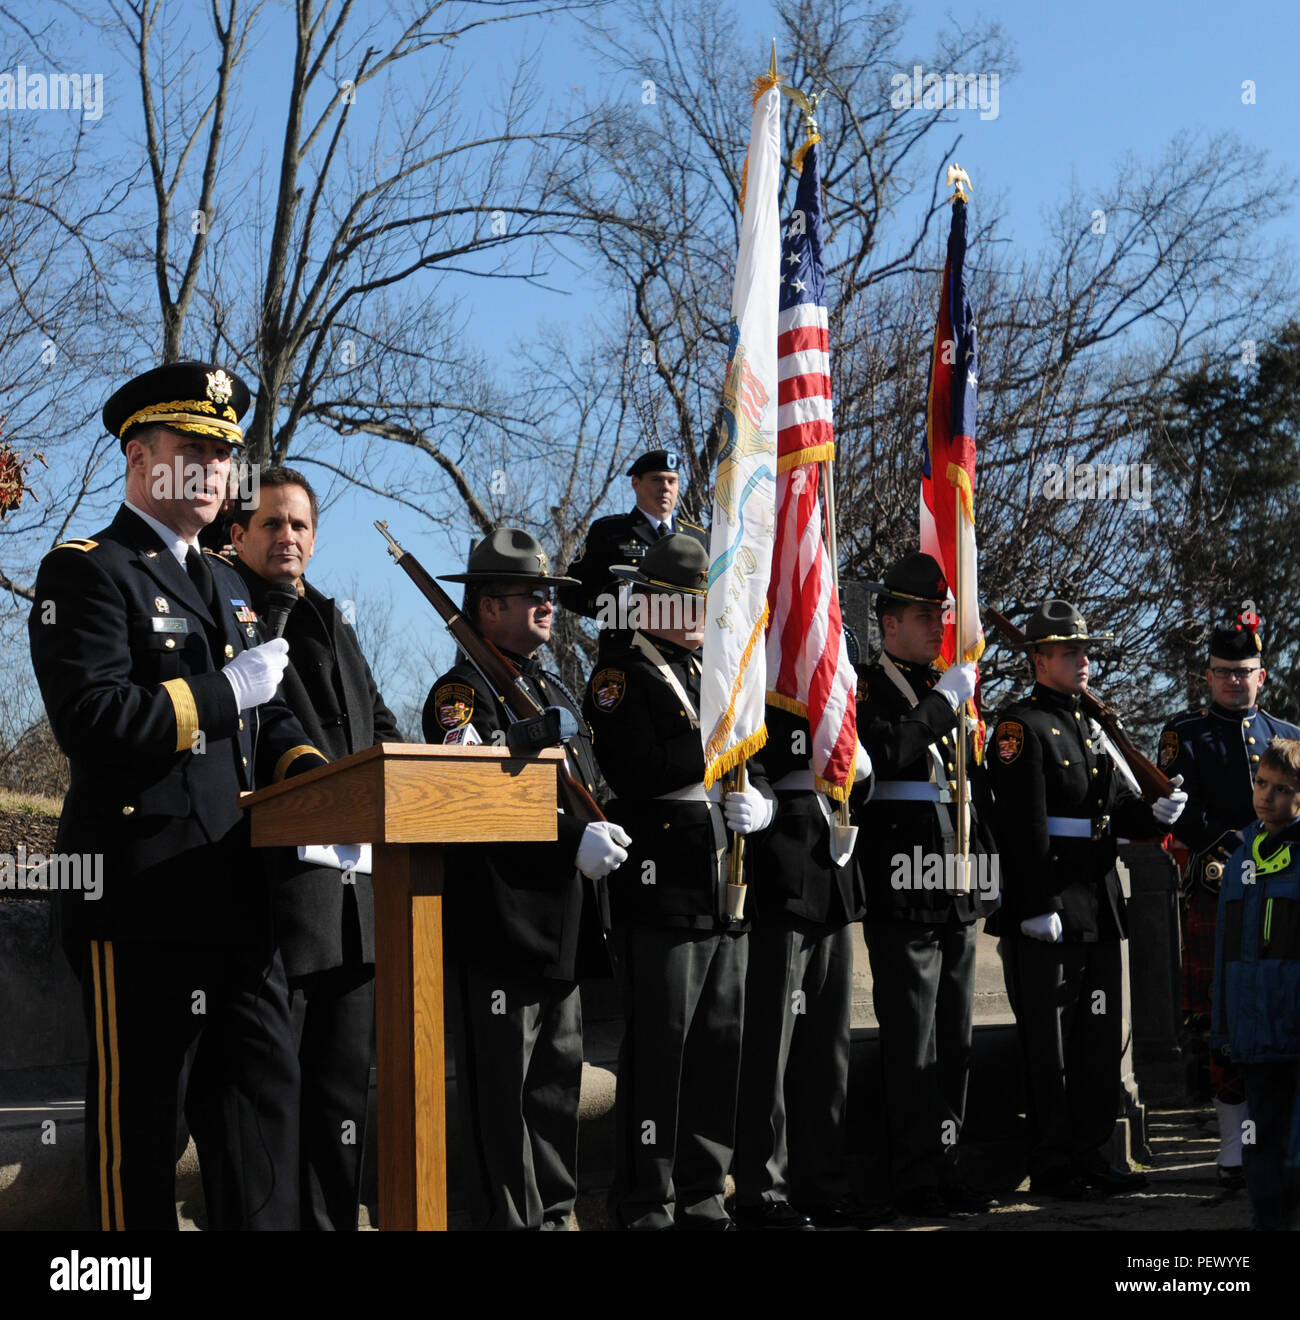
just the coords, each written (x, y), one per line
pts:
(683, 999)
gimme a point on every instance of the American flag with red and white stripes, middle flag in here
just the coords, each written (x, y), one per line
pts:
(808, 666)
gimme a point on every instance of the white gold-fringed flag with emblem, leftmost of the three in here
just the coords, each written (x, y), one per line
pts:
(733, 670)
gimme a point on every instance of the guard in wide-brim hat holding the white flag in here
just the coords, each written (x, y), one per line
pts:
(680, 960)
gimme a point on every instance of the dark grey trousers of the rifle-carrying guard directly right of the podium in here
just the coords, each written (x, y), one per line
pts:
(519, 1074)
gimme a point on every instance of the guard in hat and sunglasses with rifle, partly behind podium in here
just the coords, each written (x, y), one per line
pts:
(522, 926)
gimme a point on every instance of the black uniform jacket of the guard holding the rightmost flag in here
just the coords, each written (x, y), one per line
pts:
(915, 745)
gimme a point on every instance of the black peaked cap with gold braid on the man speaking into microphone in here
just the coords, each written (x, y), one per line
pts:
(193, 398)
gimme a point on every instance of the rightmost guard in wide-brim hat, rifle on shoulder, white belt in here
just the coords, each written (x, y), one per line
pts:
(1062, 802)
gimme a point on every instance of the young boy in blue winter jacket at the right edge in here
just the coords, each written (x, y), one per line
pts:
(1257, 985)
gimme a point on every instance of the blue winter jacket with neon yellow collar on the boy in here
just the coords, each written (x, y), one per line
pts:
(1257, 950)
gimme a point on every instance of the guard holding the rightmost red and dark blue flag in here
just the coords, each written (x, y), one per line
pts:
(921, 923)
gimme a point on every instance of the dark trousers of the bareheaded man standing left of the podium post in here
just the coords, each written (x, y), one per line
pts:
(335, 1026)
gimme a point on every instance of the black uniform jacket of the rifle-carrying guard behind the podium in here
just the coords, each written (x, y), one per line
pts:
(521, 907)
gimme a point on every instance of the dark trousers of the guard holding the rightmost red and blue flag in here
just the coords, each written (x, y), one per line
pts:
(923, 984)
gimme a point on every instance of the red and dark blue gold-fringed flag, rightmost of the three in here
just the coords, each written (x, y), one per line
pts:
(950, 465)
